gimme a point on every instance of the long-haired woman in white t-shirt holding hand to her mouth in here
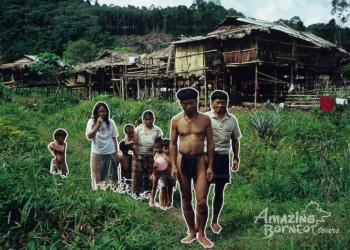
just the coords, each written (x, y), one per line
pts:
(104, 151)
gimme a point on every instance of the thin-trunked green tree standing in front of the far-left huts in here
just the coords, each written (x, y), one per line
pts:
(48, 63)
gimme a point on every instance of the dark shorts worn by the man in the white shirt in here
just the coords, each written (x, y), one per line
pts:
(221, 168)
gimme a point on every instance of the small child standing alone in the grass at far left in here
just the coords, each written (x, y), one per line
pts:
(58, 149)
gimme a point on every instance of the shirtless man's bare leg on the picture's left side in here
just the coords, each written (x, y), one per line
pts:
(186, 197)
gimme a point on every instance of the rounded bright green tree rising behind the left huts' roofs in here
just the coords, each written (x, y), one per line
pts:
(80, 51)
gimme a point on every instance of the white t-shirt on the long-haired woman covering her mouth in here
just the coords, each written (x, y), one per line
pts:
(102, 143)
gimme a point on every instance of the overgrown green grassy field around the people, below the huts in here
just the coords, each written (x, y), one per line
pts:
(305, 160)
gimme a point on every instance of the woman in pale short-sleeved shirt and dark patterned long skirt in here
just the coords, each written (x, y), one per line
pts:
(147, 133)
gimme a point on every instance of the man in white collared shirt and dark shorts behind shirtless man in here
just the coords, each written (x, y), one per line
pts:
(225, 129)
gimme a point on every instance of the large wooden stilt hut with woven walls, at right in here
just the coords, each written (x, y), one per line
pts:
(248, 57)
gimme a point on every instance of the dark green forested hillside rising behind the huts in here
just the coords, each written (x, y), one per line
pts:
(35, 26)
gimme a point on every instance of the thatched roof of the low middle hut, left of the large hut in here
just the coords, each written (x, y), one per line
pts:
(111, 58)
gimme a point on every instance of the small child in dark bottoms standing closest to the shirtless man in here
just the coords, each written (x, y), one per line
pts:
(169, 182)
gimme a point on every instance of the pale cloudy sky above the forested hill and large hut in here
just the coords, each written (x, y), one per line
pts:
(310, 11)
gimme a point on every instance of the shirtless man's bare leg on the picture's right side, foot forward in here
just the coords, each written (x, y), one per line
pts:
(201, 187)
